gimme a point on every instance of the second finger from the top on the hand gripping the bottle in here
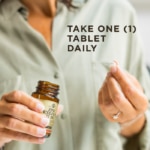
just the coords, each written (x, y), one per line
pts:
(23, 113)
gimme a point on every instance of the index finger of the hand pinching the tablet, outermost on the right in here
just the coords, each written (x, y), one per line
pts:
(131, 91)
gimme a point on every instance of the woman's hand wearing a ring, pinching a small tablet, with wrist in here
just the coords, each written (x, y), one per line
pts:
(121, 99)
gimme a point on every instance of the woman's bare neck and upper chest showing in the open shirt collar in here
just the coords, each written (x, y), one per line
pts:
(43, 12)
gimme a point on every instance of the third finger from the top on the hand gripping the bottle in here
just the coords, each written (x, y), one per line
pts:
(20, 126)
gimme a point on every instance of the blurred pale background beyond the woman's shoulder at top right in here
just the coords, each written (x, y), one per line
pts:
(142, 8)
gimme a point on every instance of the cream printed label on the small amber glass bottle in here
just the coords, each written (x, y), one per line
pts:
(50, 111)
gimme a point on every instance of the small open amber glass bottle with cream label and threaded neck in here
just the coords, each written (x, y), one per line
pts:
(47, 93)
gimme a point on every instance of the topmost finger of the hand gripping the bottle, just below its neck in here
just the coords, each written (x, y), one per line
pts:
(23, 98)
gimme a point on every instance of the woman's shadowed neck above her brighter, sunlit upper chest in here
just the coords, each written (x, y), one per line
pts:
(45, 8)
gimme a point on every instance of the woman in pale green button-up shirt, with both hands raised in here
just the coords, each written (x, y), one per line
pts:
(34, 40)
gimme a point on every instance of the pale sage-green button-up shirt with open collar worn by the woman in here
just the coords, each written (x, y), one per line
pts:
(25, 58)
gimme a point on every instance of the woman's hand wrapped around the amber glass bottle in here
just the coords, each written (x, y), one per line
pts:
(21, 118)
